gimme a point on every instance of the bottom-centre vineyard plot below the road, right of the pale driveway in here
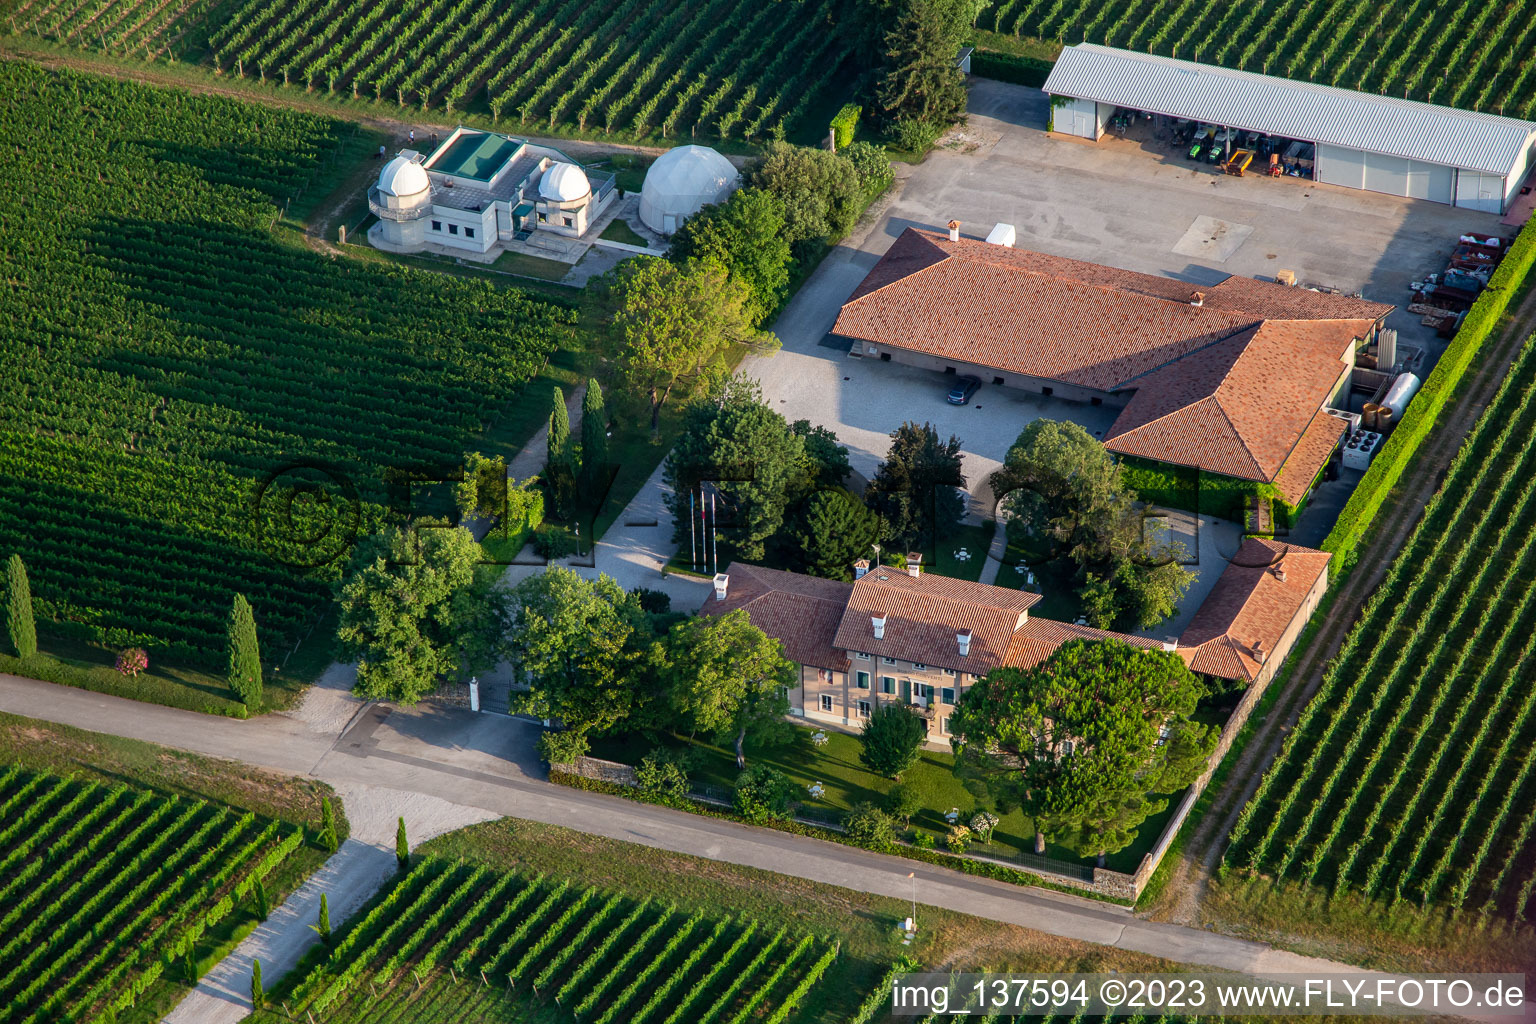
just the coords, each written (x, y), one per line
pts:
(462, 942)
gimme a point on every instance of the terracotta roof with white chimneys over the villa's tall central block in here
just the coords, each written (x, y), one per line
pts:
(924, 615)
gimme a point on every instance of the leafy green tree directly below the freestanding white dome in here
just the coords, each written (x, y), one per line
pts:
(747, 237)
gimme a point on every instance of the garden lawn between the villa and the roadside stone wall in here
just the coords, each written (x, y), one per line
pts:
(847, 782)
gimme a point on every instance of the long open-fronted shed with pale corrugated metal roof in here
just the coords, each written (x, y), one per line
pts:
(1363, 142)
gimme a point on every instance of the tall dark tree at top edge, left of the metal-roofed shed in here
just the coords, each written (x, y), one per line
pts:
(919, 81)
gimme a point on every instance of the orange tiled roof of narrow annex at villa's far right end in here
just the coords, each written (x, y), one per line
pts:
(1251, 606)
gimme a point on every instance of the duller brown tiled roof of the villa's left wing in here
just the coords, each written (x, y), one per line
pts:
(803, 612)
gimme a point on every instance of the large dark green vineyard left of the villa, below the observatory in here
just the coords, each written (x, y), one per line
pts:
(193, 406)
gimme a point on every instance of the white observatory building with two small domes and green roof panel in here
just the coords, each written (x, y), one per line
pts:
(480, 190)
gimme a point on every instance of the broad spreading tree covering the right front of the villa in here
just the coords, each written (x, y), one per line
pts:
(1084, 741)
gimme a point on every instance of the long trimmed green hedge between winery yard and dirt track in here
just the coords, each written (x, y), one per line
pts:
(1397, 454)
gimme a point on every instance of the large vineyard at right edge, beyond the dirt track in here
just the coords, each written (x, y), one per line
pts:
(1411, 775)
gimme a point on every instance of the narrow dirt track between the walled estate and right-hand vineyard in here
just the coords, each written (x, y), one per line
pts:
(1185, 893)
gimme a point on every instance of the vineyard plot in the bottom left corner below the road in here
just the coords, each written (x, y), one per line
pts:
(107, 887)
